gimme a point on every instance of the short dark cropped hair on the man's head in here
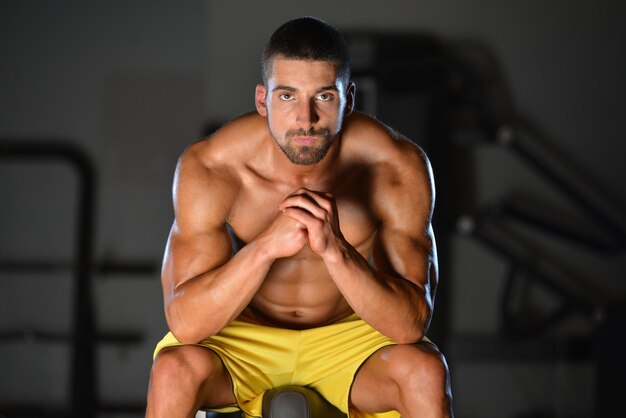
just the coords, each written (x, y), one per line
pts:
(307, 38)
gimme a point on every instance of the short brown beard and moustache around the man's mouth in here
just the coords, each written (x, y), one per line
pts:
(302, 154)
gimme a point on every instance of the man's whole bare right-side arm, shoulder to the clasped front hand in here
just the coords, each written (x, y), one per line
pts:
(397, 296)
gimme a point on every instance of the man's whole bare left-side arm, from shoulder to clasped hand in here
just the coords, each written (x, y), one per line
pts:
(203, 287)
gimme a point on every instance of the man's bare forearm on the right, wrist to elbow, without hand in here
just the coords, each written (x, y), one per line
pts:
(396, 307)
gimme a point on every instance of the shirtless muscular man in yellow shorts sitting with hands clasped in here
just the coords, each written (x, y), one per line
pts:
(328, 279)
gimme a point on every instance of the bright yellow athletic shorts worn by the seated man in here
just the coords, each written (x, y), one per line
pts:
(325, 359)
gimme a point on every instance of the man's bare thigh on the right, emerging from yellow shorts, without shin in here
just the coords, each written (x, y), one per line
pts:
(378, 384)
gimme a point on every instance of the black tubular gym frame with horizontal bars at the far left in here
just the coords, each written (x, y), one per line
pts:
(85, 335)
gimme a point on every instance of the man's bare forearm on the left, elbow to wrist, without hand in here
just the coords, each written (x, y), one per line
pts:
(203, 305)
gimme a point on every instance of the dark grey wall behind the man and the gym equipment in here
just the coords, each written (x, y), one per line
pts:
(132, 83)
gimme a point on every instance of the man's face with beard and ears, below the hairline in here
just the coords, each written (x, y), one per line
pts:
(304, 102)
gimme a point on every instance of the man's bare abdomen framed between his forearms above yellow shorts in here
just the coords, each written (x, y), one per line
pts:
(297, 293)
